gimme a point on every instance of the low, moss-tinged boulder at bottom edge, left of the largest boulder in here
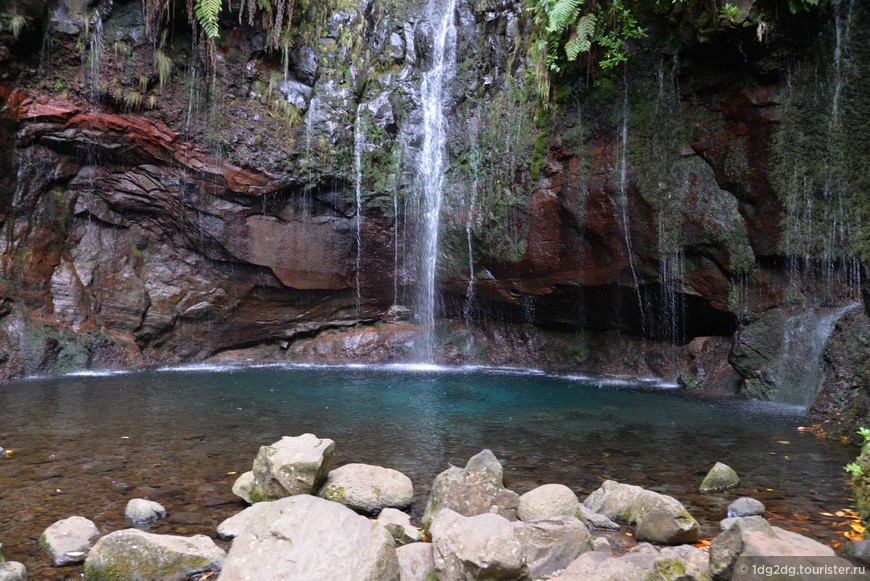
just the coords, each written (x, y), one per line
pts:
(135, 554)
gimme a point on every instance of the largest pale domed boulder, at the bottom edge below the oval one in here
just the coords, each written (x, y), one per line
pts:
(306, 538)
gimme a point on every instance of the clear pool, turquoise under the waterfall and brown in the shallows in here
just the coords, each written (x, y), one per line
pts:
(85, 445)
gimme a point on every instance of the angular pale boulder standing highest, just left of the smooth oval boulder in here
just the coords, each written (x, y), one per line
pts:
(290, 466)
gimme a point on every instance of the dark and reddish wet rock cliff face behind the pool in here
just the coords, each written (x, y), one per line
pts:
(178, 212)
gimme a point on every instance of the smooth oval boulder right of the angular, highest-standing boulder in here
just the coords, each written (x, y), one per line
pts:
(368, 489)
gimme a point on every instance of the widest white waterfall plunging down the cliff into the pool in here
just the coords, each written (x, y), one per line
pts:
(431, 162)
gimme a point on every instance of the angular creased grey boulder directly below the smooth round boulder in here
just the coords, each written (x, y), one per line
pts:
(550, 545)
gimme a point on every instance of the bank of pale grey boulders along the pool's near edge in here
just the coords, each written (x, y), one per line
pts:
(315, 522)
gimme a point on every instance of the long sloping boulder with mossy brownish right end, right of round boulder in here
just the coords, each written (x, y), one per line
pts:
(656, 517)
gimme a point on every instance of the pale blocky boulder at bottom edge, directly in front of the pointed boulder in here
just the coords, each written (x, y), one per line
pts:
(484, 546)
